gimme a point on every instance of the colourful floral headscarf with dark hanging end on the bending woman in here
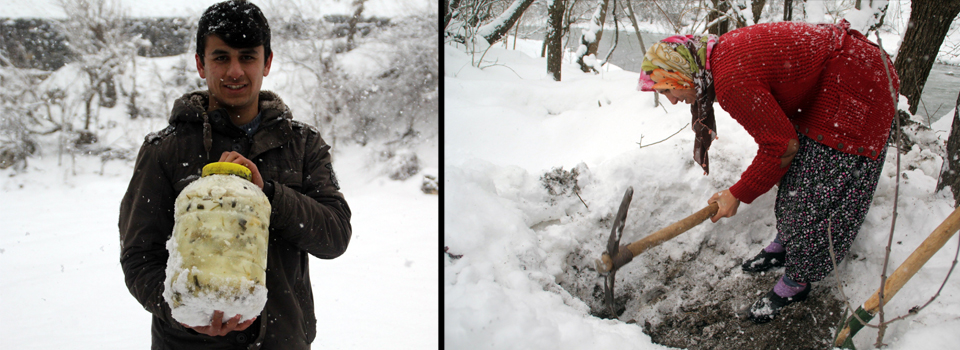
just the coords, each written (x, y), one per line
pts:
(683, 62)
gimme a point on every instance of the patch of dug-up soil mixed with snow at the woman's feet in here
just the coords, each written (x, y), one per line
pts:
(700, 301)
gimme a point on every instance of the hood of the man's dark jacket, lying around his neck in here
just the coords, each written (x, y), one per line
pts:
(191, 107)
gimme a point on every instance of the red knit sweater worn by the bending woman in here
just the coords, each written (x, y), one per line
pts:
(781, 79)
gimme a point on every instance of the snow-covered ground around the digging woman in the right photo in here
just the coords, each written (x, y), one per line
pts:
(513, 247)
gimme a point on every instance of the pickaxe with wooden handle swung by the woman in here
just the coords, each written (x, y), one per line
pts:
(618, 255)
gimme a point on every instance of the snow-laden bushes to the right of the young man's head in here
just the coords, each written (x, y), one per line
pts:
(385, 88)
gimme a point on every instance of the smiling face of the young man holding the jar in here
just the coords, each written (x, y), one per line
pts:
(233, 75)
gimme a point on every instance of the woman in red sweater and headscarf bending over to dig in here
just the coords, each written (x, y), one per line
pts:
(817, 100)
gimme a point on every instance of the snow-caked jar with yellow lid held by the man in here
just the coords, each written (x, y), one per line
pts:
(218, 250)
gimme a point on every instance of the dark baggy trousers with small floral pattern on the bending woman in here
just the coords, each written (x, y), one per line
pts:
(824, 189)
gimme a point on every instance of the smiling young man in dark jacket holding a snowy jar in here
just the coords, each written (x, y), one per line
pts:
(234, 121)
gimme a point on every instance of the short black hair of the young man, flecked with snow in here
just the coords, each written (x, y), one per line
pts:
(238, 23)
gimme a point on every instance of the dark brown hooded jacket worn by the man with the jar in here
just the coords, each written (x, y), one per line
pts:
(309, 215)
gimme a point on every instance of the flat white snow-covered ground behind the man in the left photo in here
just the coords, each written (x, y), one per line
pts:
(63, 288)
